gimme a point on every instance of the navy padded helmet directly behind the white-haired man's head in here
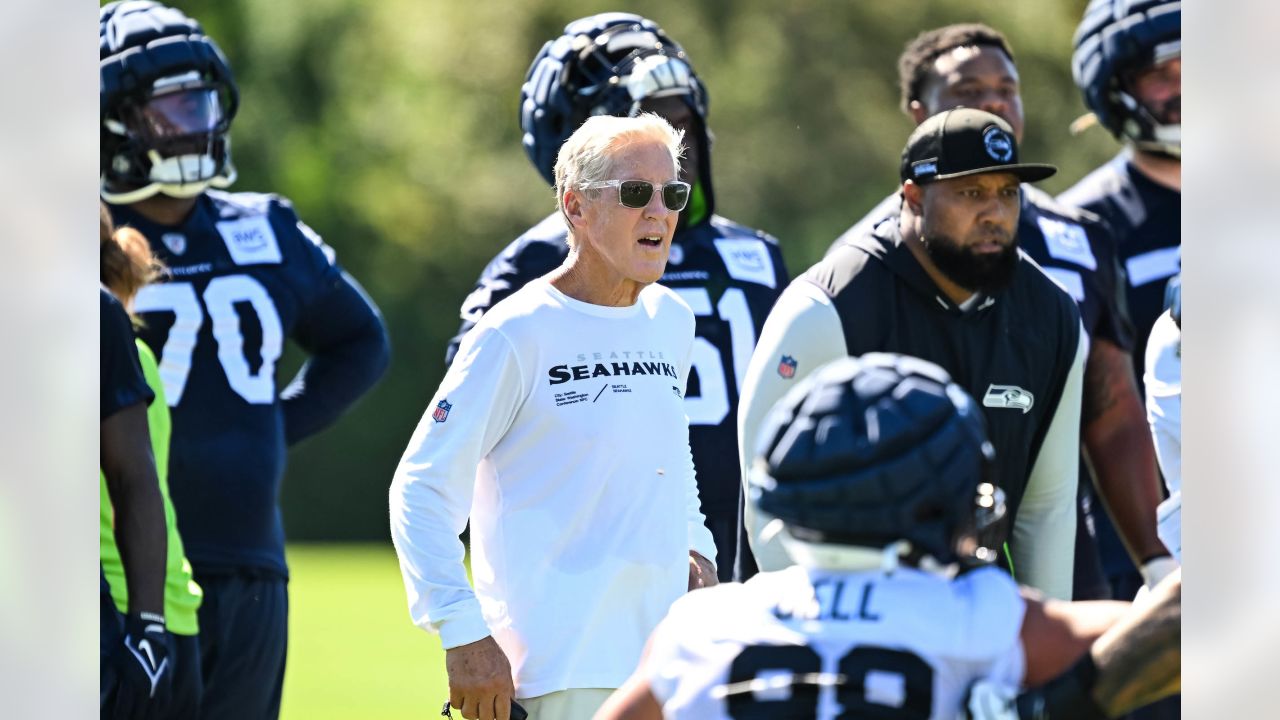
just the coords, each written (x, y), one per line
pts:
(604, 65)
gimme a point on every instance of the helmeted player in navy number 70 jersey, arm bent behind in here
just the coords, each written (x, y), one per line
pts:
(244, 275)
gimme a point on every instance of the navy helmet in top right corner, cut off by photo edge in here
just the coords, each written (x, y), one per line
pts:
(1118, 38)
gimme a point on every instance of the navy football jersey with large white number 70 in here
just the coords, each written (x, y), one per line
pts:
(244, 274)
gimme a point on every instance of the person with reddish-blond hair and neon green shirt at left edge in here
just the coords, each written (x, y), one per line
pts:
(127, 266)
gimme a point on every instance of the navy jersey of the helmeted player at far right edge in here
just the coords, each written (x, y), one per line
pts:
(1146, 222)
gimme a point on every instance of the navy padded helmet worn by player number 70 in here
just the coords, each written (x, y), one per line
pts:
(167, 102)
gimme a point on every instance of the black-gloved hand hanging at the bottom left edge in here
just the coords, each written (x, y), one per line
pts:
(144, 668)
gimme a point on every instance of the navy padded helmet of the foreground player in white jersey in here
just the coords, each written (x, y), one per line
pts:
(876, 452)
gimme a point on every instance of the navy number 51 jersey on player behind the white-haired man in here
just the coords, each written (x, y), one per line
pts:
(730, 275)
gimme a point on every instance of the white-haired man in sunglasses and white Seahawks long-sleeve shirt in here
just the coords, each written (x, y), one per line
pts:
(561, 431)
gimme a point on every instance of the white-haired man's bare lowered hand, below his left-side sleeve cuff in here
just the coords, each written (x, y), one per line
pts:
(481, 685)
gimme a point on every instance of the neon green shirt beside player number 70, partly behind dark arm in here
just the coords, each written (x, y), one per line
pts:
(182, 595)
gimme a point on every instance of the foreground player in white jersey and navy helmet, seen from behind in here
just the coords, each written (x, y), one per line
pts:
(879, 473)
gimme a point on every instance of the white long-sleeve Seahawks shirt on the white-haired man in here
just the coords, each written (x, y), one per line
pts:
(561, 431)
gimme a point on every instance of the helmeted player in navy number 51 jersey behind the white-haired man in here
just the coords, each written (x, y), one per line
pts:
(730, 275)
